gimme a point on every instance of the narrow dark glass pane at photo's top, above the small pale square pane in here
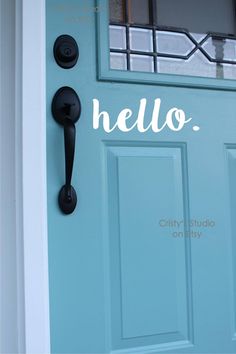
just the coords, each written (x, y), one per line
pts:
(138, 11)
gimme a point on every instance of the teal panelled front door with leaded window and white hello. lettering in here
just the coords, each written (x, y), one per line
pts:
(146, 263)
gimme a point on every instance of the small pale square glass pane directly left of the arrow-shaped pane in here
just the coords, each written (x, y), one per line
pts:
(141, 39)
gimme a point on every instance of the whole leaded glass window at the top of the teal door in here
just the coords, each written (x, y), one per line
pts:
(184, 37)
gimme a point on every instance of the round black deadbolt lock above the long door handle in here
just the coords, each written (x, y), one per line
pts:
(66, 51)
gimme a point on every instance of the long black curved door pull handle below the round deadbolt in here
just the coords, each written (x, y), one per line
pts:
(66, 110)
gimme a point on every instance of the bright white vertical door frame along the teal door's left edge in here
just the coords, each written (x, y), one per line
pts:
(32, 101)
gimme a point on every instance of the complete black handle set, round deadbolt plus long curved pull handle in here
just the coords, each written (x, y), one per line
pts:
(66, 110)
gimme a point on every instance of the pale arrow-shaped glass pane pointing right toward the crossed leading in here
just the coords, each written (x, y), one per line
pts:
(173, 43)
